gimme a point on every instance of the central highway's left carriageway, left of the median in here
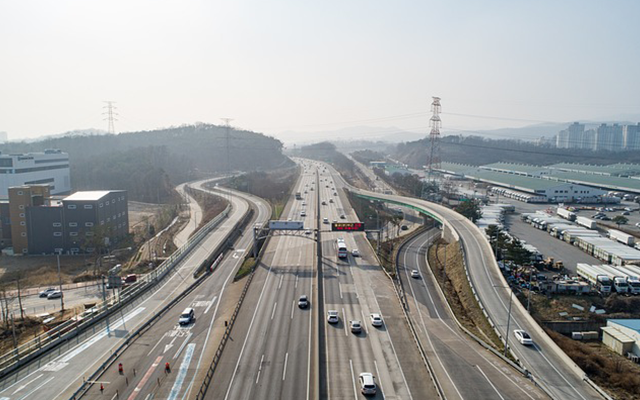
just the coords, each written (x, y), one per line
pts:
(271, 349)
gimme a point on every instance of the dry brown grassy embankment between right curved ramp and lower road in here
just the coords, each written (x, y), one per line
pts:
(454, 284)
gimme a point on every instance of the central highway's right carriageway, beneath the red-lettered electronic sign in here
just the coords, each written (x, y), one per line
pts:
(356, 287)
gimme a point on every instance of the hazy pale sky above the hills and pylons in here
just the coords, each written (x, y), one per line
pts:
(295, 68)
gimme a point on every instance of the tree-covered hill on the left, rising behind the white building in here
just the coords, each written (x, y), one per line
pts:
(149, 163)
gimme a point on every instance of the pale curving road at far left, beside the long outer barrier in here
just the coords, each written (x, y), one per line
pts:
(58, 374)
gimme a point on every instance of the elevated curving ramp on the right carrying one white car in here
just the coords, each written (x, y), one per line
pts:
(547, 363)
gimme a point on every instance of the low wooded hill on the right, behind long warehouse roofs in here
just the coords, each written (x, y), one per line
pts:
(476, 150)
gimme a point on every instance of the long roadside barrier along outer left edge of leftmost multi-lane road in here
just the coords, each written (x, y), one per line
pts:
(69, 329)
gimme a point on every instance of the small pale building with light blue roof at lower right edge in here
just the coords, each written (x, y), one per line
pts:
(623, 337)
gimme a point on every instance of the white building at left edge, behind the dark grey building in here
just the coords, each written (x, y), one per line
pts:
(48, 168)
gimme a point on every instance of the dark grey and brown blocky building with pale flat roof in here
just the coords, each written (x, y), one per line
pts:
(41, 224)
